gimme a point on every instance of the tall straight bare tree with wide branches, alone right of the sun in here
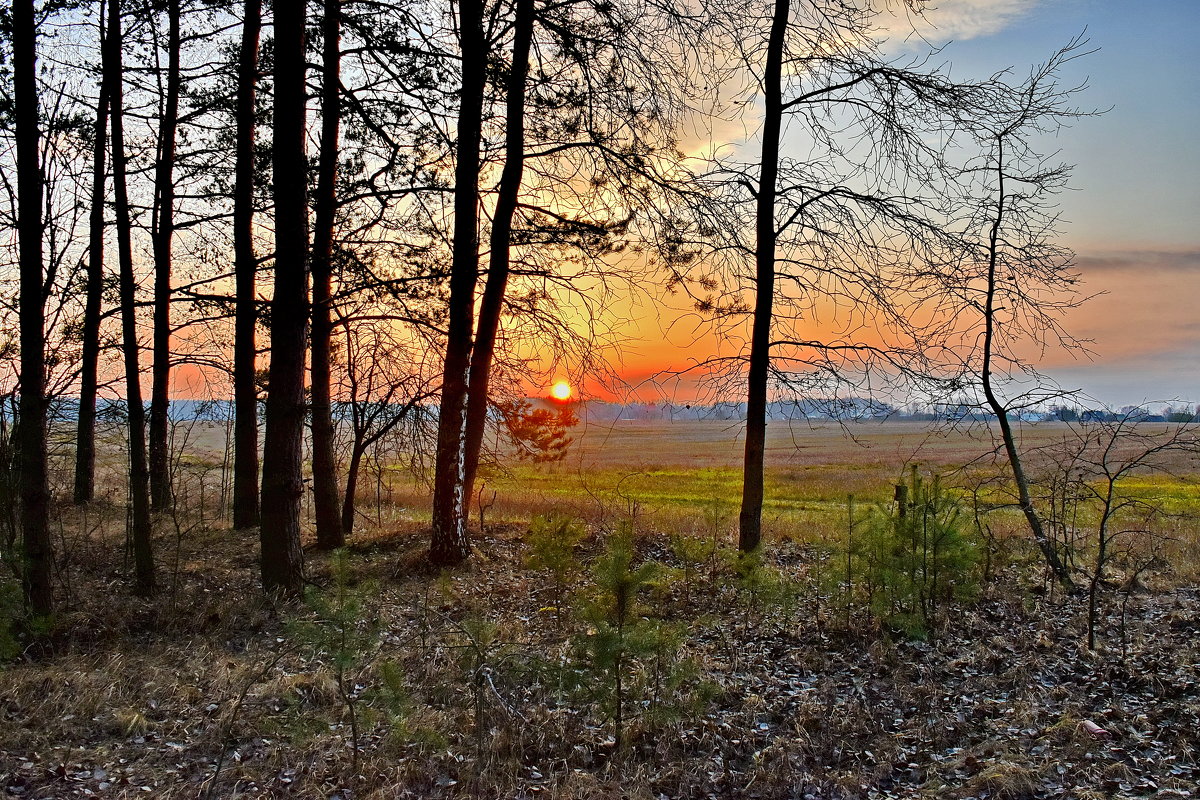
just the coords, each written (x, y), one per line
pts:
(839, 220)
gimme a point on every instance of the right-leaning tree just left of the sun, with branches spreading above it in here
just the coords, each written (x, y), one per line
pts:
(555, 236)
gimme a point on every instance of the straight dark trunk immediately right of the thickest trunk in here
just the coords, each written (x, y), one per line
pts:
(325, 460)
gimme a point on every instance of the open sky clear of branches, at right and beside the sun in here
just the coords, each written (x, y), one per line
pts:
(1133, 212)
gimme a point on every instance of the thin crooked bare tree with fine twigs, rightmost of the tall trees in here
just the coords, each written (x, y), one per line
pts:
(1028, 280)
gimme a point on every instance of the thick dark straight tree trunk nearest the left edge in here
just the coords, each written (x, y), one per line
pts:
(35, 496)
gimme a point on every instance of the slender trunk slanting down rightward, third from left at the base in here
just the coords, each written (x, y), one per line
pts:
(140, 478)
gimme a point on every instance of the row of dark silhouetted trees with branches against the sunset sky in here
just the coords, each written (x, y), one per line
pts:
(454, 193)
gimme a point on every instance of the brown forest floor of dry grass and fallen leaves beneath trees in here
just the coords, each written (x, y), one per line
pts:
(485, 683)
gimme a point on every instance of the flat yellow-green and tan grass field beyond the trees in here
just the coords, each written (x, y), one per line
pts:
(686, 477)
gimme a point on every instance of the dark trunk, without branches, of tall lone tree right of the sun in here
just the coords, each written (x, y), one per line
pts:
(751, 518)
